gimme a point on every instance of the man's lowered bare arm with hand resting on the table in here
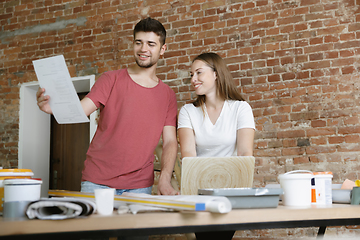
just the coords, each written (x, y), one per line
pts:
(168, 158)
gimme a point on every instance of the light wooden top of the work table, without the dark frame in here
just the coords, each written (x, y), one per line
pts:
(165, 220)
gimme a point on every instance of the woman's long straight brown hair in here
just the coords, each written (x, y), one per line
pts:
(225, 85)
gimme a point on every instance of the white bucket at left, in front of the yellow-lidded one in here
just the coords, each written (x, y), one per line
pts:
(22, 190)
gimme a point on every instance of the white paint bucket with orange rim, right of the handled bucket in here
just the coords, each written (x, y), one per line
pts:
(323, 188)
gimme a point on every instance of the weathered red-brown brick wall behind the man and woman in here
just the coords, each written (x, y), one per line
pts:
(296, 62)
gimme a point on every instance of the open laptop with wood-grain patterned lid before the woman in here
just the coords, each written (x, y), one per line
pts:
(216, 172)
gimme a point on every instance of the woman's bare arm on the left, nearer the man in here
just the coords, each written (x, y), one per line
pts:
(187, 142)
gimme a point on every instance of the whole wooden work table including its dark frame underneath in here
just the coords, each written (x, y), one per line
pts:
(181, 222)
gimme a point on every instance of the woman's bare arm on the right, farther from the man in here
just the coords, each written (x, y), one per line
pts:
(245, 141)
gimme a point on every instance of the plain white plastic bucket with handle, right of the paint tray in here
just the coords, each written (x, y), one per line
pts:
(297, 188)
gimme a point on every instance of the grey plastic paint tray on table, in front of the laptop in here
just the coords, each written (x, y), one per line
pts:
(247, 197)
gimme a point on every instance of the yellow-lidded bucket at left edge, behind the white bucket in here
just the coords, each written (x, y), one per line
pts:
(11, 174)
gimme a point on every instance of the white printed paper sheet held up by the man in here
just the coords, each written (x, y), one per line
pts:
(54, 76)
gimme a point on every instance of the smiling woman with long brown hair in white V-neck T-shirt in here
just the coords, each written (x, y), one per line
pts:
(218, 123)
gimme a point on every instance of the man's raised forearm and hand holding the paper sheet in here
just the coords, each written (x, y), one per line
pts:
(43, 102)
